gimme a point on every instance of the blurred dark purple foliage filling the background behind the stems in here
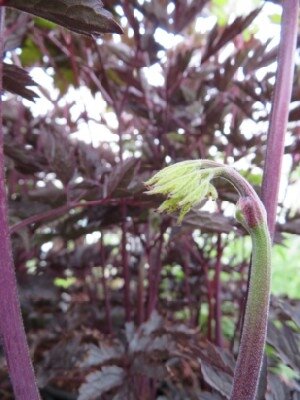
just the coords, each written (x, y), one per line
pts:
(146, 306)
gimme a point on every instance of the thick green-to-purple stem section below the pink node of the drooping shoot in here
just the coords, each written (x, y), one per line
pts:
(249, 361)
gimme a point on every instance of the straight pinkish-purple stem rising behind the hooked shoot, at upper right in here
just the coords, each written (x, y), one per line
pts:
(280, 110)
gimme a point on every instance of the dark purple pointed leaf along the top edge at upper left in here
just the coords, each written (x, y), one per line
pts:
(81, 16)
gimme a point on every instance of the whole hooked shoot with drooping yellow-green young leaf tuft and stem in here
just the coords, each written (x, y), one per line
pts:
(186, 184)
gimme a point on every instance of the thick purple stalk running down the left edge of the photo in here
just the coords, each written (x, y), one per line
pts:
(12, 332)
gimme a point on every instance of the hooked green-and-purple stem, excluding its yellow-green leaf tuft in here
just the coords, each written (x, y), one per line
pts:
(251, 213)
